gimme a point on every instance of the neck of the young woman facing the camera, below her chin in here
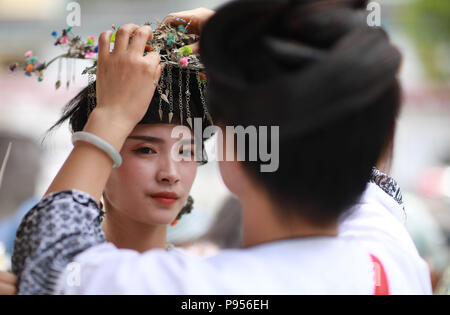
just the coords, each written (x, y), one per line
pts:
(144, 237)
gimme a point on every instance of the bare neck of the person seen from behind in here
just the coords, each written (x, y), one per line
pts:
(262, 223)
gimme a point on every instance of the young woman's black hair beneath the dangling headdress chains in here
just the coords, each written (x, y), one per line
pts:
(77, 110)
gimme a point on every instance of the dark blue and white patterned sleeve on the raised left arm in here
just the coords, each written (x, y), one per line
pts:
(62, 225)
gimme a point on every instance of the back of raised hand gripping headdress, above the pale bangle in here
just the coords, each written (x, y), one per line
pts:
(125, 77)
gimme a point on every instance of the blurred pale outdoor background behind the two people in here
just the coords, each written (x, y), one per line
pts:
(420, 28)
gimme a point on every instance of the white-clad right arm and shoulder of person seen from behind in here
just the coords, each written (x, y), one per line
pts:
(377, 222)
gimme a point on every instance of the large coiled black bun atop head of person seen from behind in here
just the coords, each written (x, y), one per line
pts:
(299, 64)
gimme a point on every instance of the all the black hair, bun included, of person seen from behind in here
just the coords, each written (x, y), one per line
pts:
(319, 72)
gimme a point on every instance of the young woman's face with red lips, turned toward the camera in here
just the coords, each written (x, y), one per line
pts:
(150, 186)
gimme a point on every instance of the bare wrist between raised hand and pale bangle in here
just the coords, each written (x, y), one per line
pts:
(109, 127)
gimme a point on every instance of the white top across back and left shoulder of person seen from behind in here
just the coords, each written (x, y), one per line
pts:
(271, 269)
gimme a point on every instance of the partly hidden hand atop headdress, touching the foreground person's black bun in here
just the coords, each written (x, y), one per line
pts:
(199, 17)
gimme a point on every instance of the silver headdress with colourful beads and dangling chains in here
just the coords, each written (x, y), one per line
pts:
(171, 42)
